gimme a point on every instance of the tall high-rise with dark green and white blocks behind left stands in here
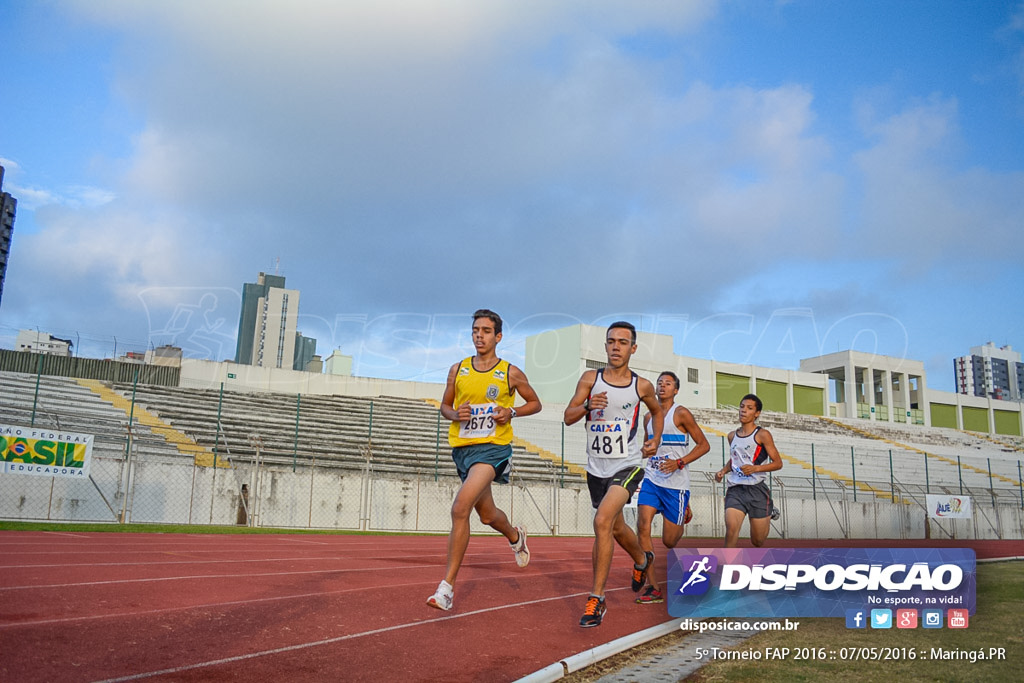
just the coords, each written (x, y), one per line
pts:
(268, 322)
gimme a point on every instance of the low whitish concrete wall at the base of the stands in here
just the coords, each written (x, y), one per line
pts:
(176, 491)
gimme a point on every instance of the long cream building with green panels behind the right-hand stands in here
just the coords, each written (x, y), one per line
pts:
(846, 385)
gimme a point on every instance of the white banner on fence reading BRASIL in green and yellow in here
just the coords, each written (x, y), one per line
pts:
(45, 452)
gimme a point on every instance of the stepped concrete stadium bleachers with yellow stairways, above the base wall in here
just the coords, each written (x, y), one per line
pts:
(851, 460)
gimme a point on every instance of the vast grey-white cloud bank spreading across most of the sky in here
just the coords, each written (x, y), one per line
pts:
(433, 158)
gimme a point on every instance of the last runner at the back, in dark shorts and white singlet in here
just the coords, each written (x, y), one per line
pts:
(753, 454)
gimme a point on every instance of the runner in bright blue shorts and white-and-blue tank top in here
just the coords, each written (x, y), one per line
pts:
(666, 487)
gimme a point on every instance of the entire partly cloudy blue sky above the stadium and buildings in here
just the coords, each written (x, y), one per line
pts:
(765, 182)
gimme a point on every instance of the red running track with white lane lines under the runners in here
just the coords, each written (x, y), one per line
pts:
(77, 607)
